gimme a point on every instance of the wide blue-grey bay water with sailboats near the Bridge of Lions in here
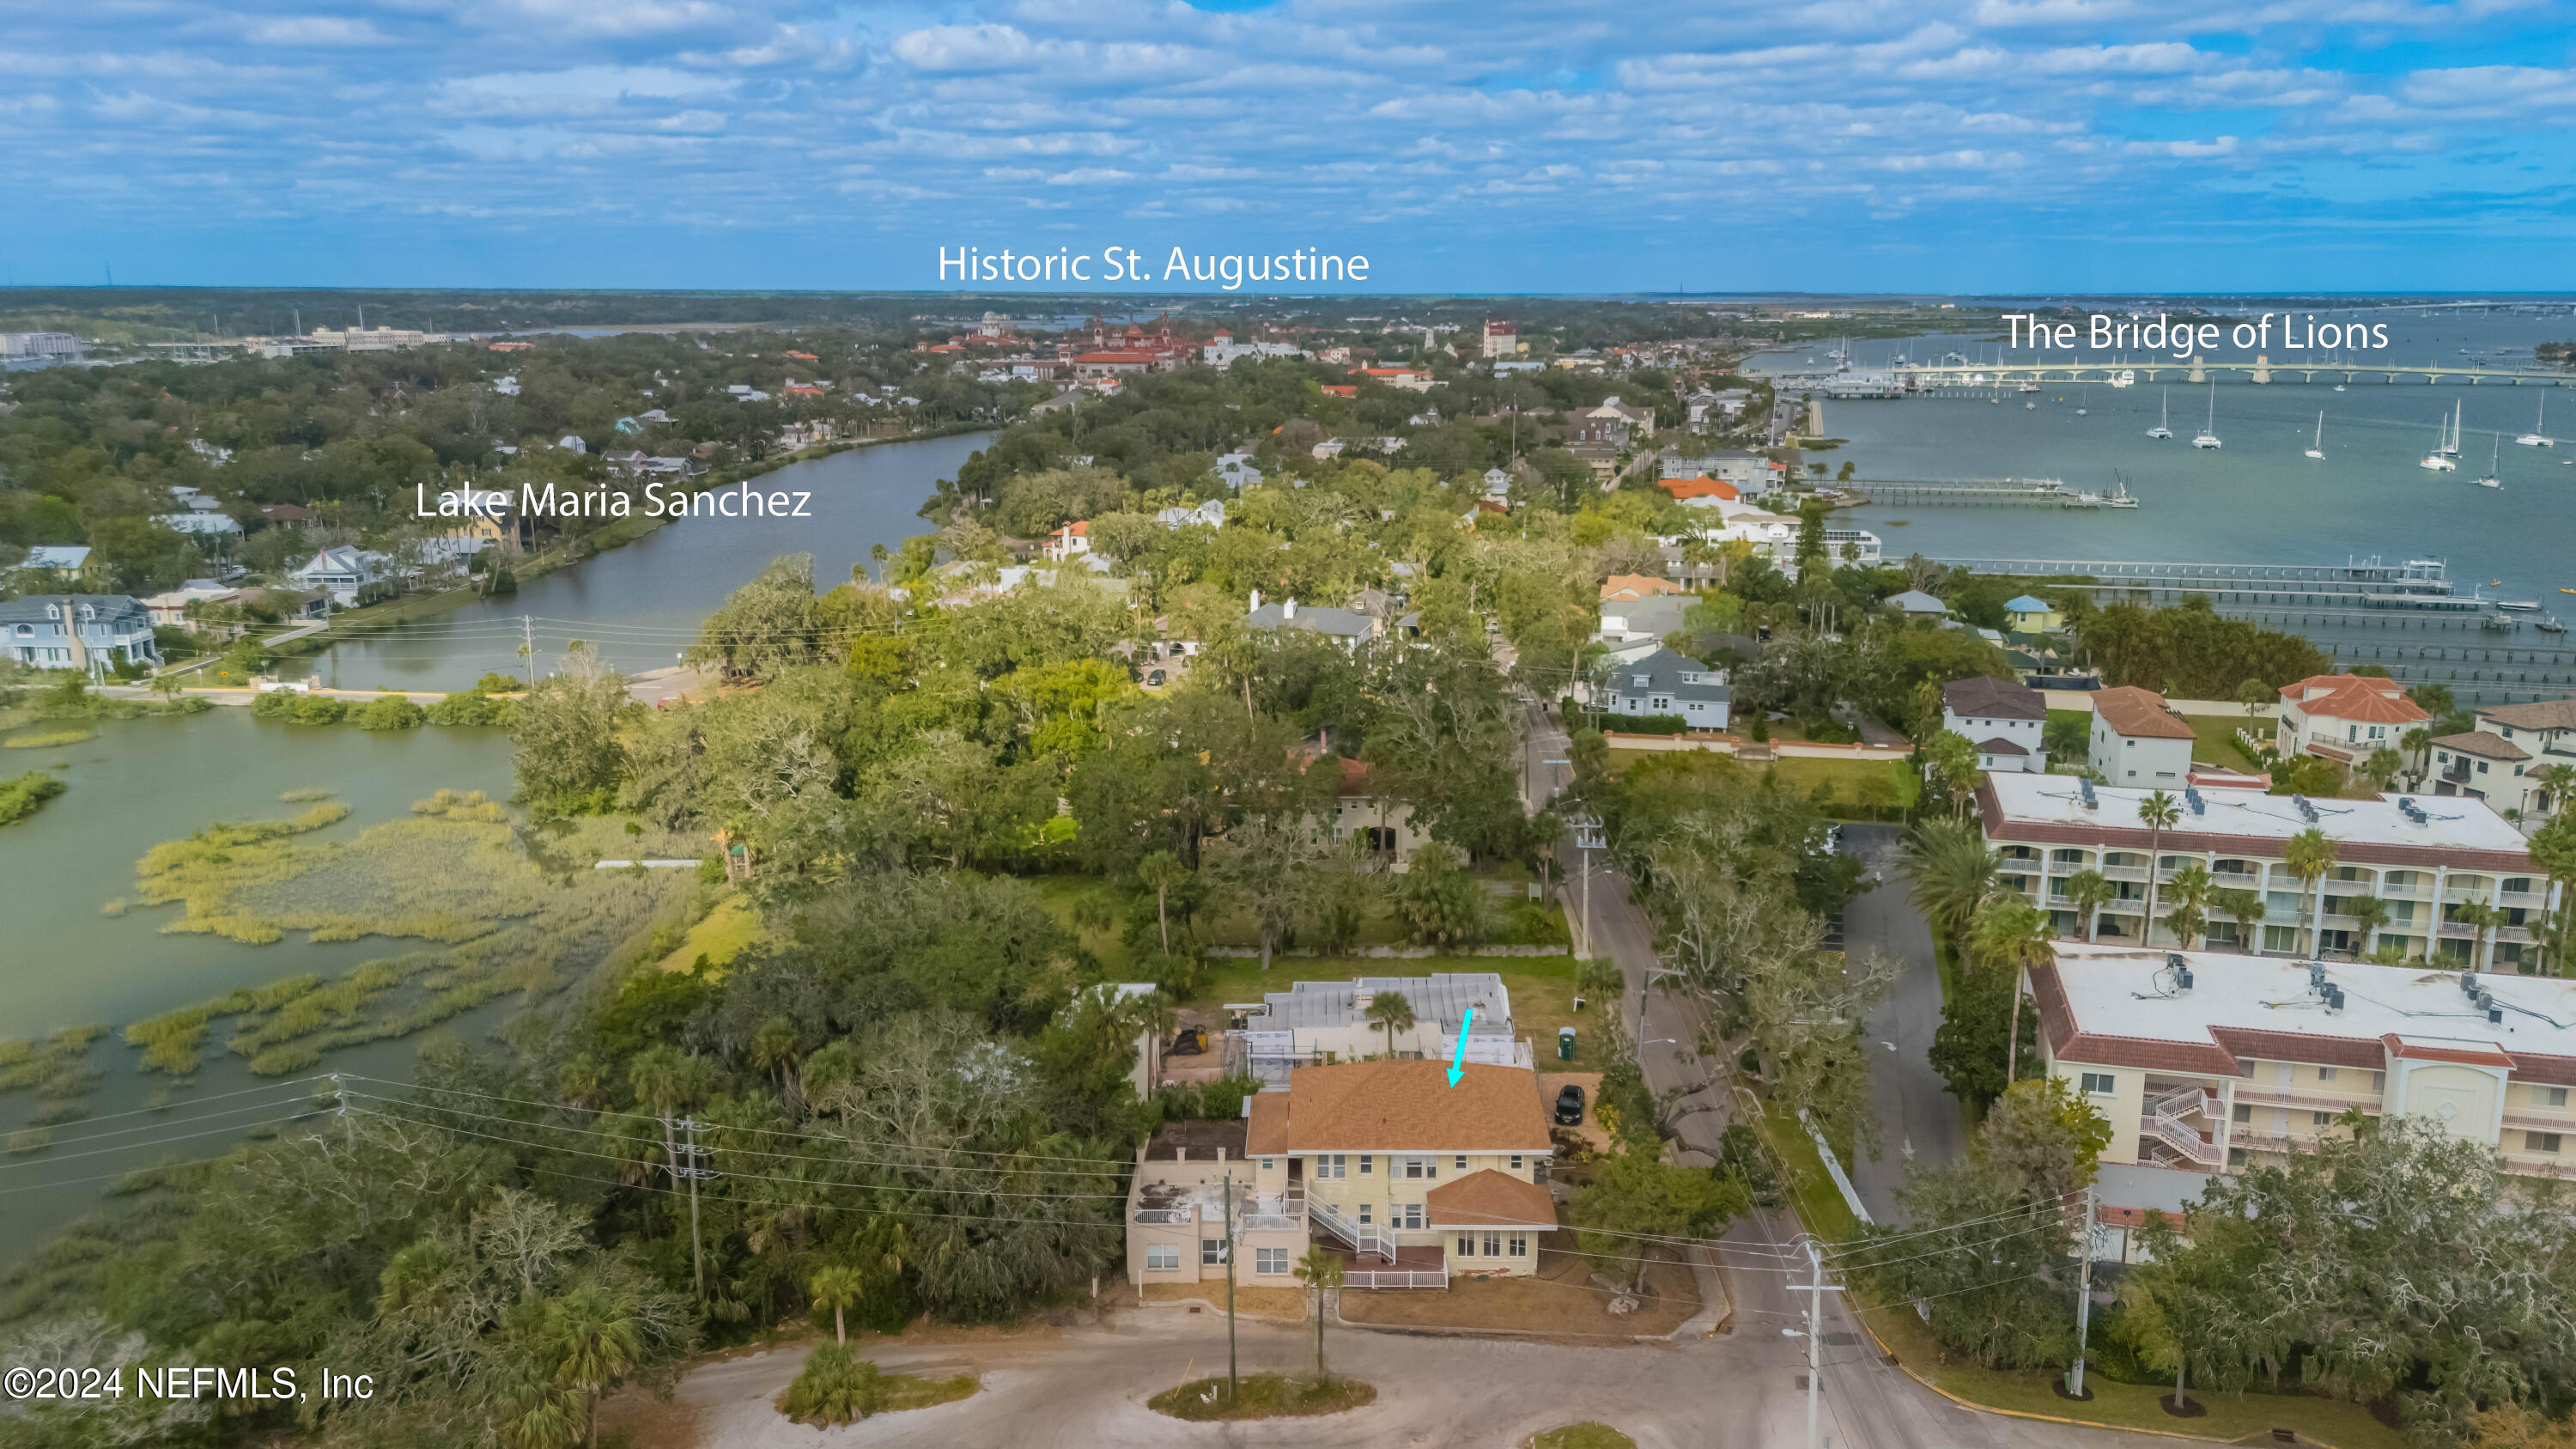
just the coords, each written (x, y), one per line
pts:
(2258, 499)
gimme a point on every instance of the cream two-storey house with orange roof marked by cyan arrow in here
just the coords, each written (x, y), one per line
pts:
(1405, 1177)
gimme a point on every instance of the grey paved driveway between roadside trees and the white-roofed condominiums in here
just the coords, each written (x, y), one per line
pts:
(1918, 1118)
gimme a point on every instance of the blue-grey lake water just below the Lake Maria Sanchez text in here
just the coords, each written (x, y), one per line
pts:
(645, 602)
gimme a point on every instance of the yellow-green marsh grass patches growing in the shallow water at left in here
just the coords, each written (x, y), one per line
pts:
(501, 911)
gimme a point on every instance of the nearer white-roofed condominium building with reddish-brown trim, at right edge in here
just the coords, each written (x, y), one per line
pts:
(2211, 1064)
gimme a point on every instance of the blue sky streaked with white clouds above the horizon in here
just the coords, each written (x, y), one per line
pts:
(1926, 146)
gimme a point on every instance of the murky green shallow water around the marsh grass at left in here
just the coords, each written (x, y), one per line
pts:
(63, 963)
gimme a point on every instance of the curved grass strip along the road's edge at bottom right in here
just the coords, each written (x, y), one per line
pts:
(2134, 1406)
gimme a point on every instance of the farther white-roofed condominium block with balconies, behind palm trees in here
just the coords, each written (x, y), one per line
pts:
(2423, 857)
